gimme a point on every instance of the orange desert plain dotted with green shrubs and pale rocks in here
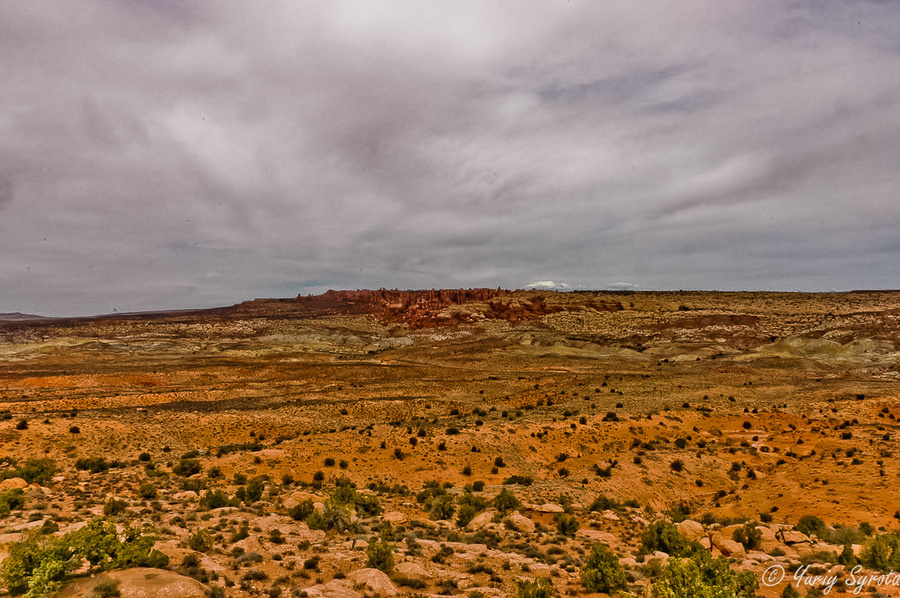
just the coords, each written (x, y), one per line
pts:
(459, 442)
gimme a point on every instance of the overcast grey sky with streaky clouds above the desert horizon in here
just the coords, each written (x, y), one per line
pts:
(164, 154)
